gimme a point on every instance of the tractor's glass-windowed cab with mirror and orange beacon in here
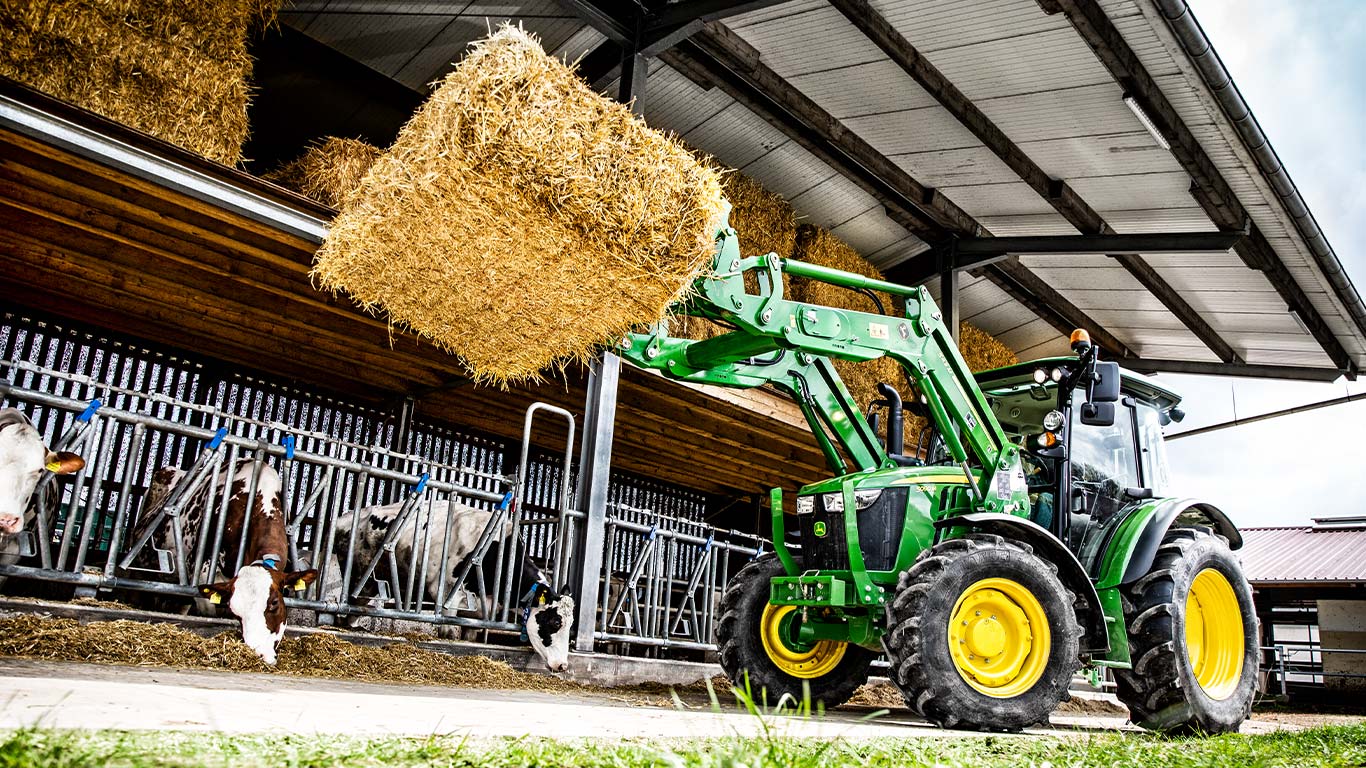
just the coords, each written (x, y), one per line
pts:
(1085, 461)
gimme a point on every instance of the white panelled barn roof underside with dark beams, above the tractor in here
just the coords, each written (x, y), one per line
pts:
(919, 129)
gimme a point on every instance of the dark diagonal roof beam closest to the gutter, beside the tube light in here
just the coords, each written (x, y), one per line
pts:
(1210, 187)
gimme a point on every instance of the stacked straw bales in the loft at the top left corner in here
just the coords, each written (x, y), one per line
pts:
(173, 69)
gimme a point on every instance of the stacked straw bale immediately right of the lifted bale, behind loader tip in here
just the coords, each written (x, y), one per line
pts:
(764, 223)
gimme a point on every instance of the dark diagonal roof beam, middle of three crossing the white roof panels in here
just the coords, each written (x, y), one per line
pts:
(1057, 192)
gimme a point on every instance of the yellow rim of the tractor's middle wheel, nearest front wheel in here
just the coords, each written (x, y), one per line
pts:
(999, 637)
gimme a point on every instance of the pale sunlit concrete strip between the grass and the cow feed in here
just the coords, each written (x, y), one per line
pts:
(89, 696)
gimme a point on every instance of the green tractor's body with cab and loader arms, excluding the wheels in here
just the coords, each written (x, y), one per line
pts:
(983, 469)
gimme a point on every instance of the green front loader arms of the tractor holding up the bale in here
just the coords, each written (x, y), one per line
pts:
(787, 344)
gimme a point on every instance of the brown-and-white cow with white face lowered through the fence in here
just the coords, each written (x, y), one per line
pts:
(256, 594)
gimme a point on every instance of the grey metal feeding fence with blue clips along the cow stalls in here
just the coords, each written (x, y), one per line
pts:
(130, 412)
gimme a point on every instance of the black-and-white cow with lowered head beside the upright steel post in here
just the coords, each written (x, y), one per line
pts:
(546, 614)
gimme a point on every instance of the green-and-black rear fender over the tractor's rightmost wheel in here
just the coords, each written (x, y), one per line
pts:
(1132, 550)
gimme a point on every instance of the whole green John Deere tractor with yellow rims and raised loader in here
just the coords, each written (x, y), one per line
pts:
(1031, 534)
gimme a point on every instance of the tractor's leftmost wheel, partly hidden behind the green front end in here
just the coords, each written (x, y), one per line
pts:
(830, 672)
